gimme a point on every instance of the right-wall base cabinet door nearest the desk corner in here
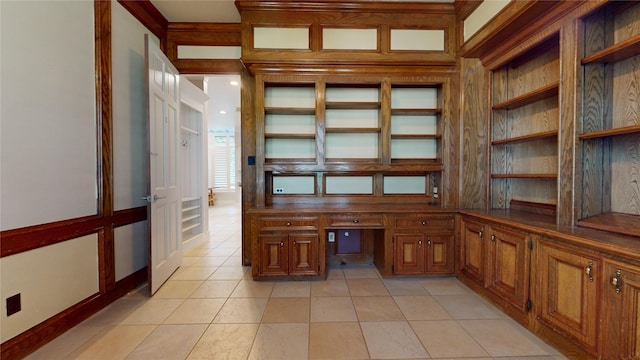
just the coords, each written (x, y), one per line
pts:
(473, 253)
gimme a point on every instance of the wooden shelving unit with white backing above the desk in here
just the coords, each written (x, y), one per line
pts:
(365, 128)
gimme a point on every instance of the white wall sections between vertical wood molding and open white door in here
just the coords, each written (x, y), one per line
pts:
(130, 159)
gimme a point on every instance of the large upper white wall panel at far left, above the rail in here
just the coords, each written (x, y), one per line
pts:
(48, 114)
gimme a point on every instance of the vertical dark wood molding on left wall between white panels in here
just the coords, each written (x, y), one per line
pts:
(104, 122)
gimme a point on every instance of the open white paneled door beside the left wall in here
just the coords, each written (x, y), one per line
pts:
(163, 202)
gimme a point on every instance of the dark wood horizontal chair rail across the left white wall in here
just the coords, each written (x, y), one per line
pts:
(32, 237)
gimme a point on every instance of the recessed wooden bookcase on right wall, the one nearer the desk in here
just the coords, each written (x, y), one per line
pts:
(524, 127)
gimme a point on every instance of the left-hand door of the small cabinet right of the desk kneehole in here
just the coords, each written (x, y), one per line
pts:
(409, 254)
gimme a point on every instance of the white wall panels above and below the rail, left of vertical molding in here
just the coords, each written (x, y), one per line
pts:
(48, 153)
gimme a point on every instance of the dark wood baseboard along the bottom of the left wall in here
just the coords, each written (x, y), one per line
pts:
(29, 341)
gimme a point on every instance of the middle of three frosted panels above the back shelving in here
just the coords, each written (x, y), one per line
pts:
(350, 39)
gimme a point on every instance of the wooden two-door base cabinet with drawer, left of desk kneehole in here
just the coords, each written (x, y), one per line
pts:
(287, 246)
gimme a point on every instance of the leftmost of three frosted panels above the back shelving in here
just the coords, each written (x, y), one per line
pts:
(280, 38)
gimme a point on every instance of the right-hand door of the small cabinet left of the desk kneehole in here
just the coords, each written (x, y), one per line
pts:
(303, 254)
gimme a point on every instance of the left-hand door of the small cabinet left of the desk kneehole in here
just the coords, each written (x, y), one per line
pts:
(273, 254)
